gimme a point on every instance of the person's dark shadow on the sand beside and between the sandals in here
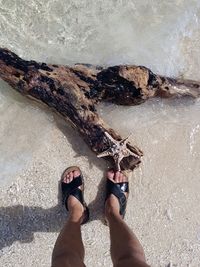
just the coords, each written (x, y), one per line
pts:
(19, 223)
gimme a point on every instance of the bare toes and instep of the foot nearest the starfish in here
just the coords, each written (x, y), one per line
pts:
(112, 203)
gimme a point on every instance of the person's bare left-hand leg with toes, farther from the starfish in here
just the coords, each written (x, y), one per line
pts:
(69, 250)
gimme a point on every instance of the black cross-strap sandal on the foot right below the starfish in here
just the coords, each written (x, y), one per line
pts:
(119, 190)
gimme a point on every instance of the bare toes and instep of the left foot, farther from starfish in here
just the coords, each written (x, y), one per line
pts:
(75, 207)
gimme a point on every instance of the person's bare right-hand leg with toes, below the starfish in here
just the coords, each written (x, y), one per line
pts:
(126, 250)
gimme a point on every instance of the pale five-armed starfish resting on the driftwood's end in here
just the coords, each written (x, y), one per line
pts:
(118, 150)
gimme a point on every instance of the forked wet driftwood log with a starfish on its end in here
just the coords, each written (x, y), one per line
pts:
(75, 91)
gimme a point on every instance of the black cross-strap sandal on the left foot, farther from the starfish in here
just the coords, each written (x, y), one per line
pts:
(72, 189)
